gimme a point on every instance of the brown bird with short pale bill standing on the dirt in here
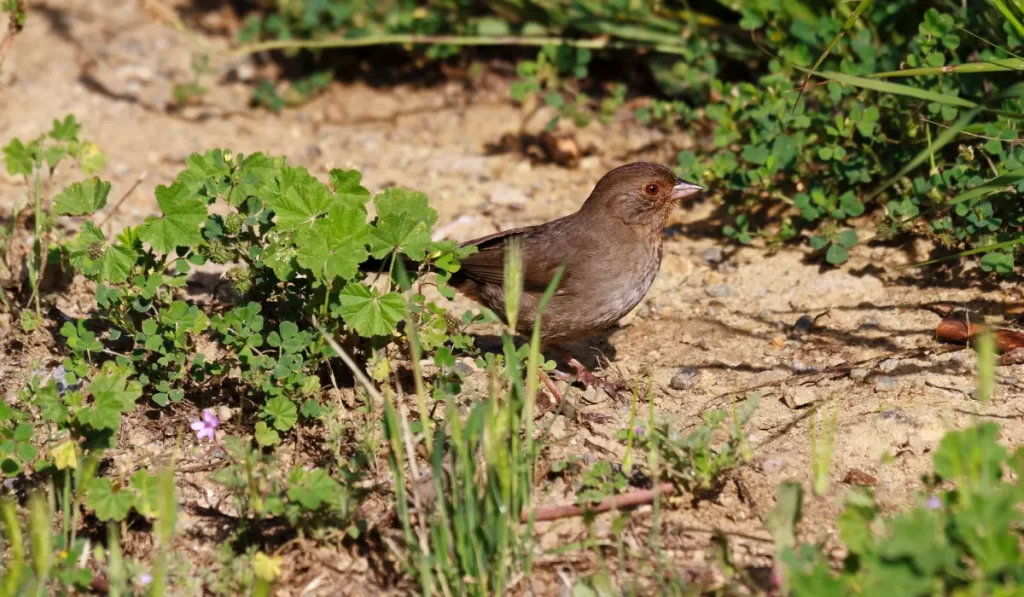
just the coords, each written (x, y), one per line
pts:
(612, 251)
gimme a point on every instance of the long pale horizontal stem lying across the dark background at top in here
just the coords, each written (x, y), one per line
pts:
(456, 40)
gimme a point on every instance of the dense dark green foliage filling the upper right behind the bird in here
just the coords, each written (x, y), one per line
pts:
(800, 125)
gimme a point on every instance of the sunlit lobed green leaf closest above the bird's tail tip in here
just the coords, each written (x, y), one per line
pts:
(404, 223)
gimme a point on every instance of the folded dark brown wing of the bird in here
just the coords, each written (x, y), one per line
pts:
(542, 255)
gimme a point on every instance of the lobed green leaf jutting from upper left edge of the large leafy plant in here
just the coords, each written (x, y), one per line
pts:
(184, 217)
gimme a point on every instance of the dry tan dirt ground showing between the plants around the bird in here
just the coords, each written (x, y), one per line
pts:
(731, 314)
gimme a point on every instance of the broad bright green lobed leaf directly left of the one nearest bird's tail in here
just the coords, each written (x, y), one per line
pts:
(334, 246)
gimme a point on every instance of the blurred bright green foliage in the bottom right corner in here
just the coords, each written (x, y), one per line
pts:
(964, 538)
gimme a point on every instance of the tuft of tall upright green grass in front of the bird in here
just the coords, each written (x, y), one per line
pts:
(470, 540)
